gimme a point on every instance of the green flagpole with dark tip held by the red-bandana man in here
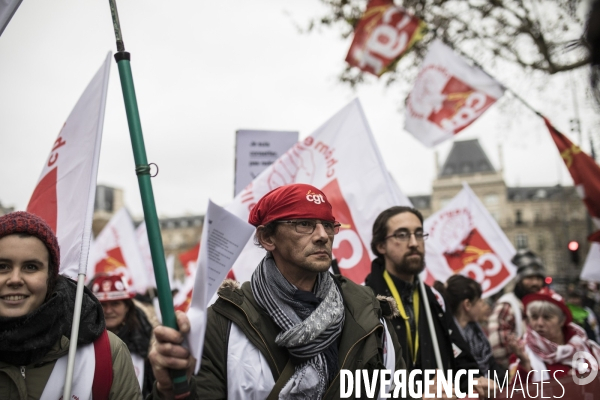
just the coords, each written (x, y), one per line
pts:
(142, 170)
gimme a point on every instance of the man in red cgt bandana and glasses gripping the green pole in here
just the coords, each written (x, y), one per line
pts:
(288, 332)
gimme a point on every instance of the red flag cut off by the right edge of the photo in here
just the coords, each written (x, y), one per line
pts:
(584, 171)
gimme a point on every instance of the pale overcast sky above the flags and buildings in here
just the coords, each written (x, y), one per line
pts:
(204, 69)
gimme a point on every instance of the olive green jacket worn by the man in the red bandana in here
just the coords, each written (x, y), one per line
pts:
(360, 344)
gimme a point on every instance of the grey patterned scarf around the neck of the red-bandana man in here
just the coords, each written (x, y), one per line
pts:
(304, 333)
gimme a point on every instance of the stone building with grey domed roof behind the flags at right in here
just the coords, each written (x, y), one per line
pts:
(543, 219)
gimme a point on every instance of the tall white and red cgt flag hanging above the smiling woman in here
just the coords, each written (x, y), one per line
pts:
(64, 194)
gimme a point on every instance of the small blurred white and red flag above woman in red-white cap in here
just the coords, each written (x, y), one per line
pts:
(116, 250)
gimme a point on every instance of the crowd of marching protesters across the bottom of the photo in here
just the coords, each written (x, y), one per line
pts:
(290, 331)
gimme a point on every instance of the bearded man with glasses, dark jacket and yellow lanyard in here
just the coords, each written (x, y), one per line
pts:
(399, 244)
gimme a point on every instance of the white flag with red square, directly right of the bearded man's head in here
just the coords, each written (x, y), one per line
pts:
(465, 239)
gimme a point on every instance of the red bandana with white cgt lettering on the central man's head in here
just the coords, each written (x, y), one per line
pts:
(291, 202)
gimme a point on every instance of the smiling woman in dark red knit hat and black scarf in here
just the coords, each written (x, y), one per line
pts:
(36, 314)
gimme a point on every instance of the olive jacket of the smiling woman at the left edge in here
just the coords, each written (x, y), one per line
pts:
(28, 382)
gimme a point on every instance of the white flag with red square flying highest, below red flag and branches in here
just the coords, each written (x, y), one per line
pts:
(448, 96)
